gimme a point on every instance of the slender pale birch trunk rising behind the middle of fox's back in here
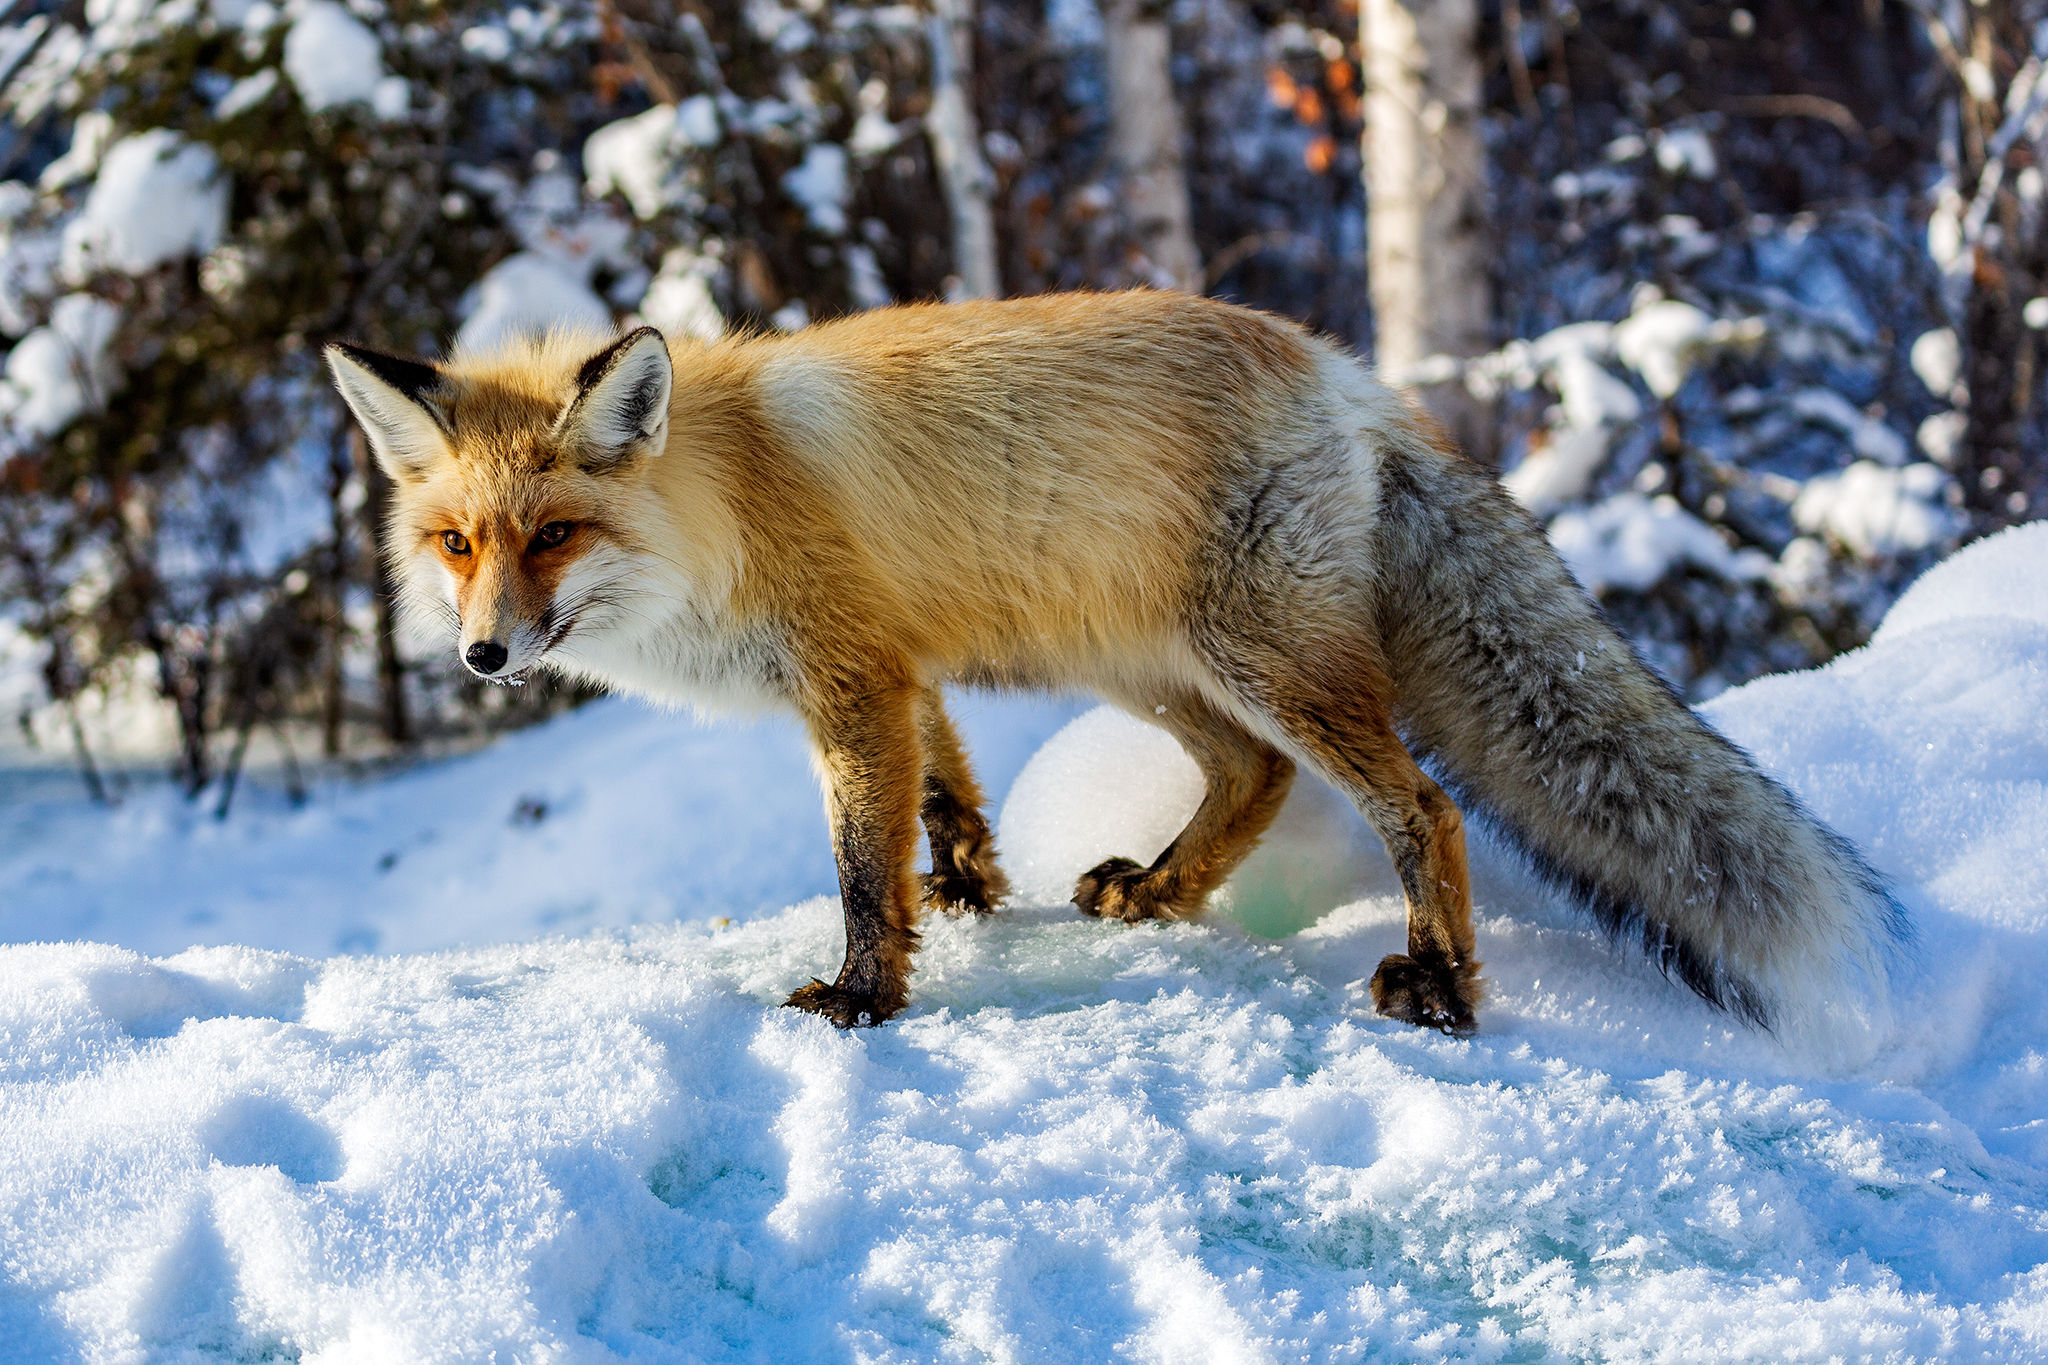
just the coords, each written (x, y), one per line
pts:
(1146, 138)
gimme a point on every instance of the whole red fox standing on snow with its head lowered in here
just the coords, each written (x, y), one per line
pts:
(1195, 511)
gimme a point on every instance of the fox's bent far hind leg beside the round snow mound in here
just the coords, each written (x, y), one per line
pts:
(1246, 781)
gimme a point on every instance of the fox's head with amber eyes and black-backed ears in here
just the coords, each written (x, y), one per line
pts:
(507, 519)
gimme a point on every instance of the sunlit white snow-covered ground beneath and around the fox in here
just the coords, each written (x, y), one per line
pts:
(484, 1063)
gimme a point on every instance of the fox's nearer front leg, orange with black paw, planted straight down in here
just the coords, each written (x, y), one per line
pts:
(867, 748)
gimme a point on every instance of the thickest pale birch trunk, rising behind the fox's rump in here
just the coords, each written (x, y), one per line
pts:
(1426, 197)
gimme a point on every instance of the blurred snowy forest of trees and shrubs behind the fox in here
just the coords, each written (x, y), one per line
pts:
(1746, 300)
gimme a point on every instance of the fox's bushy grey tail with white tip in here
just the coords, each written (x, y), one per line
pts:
(1547, 725)
